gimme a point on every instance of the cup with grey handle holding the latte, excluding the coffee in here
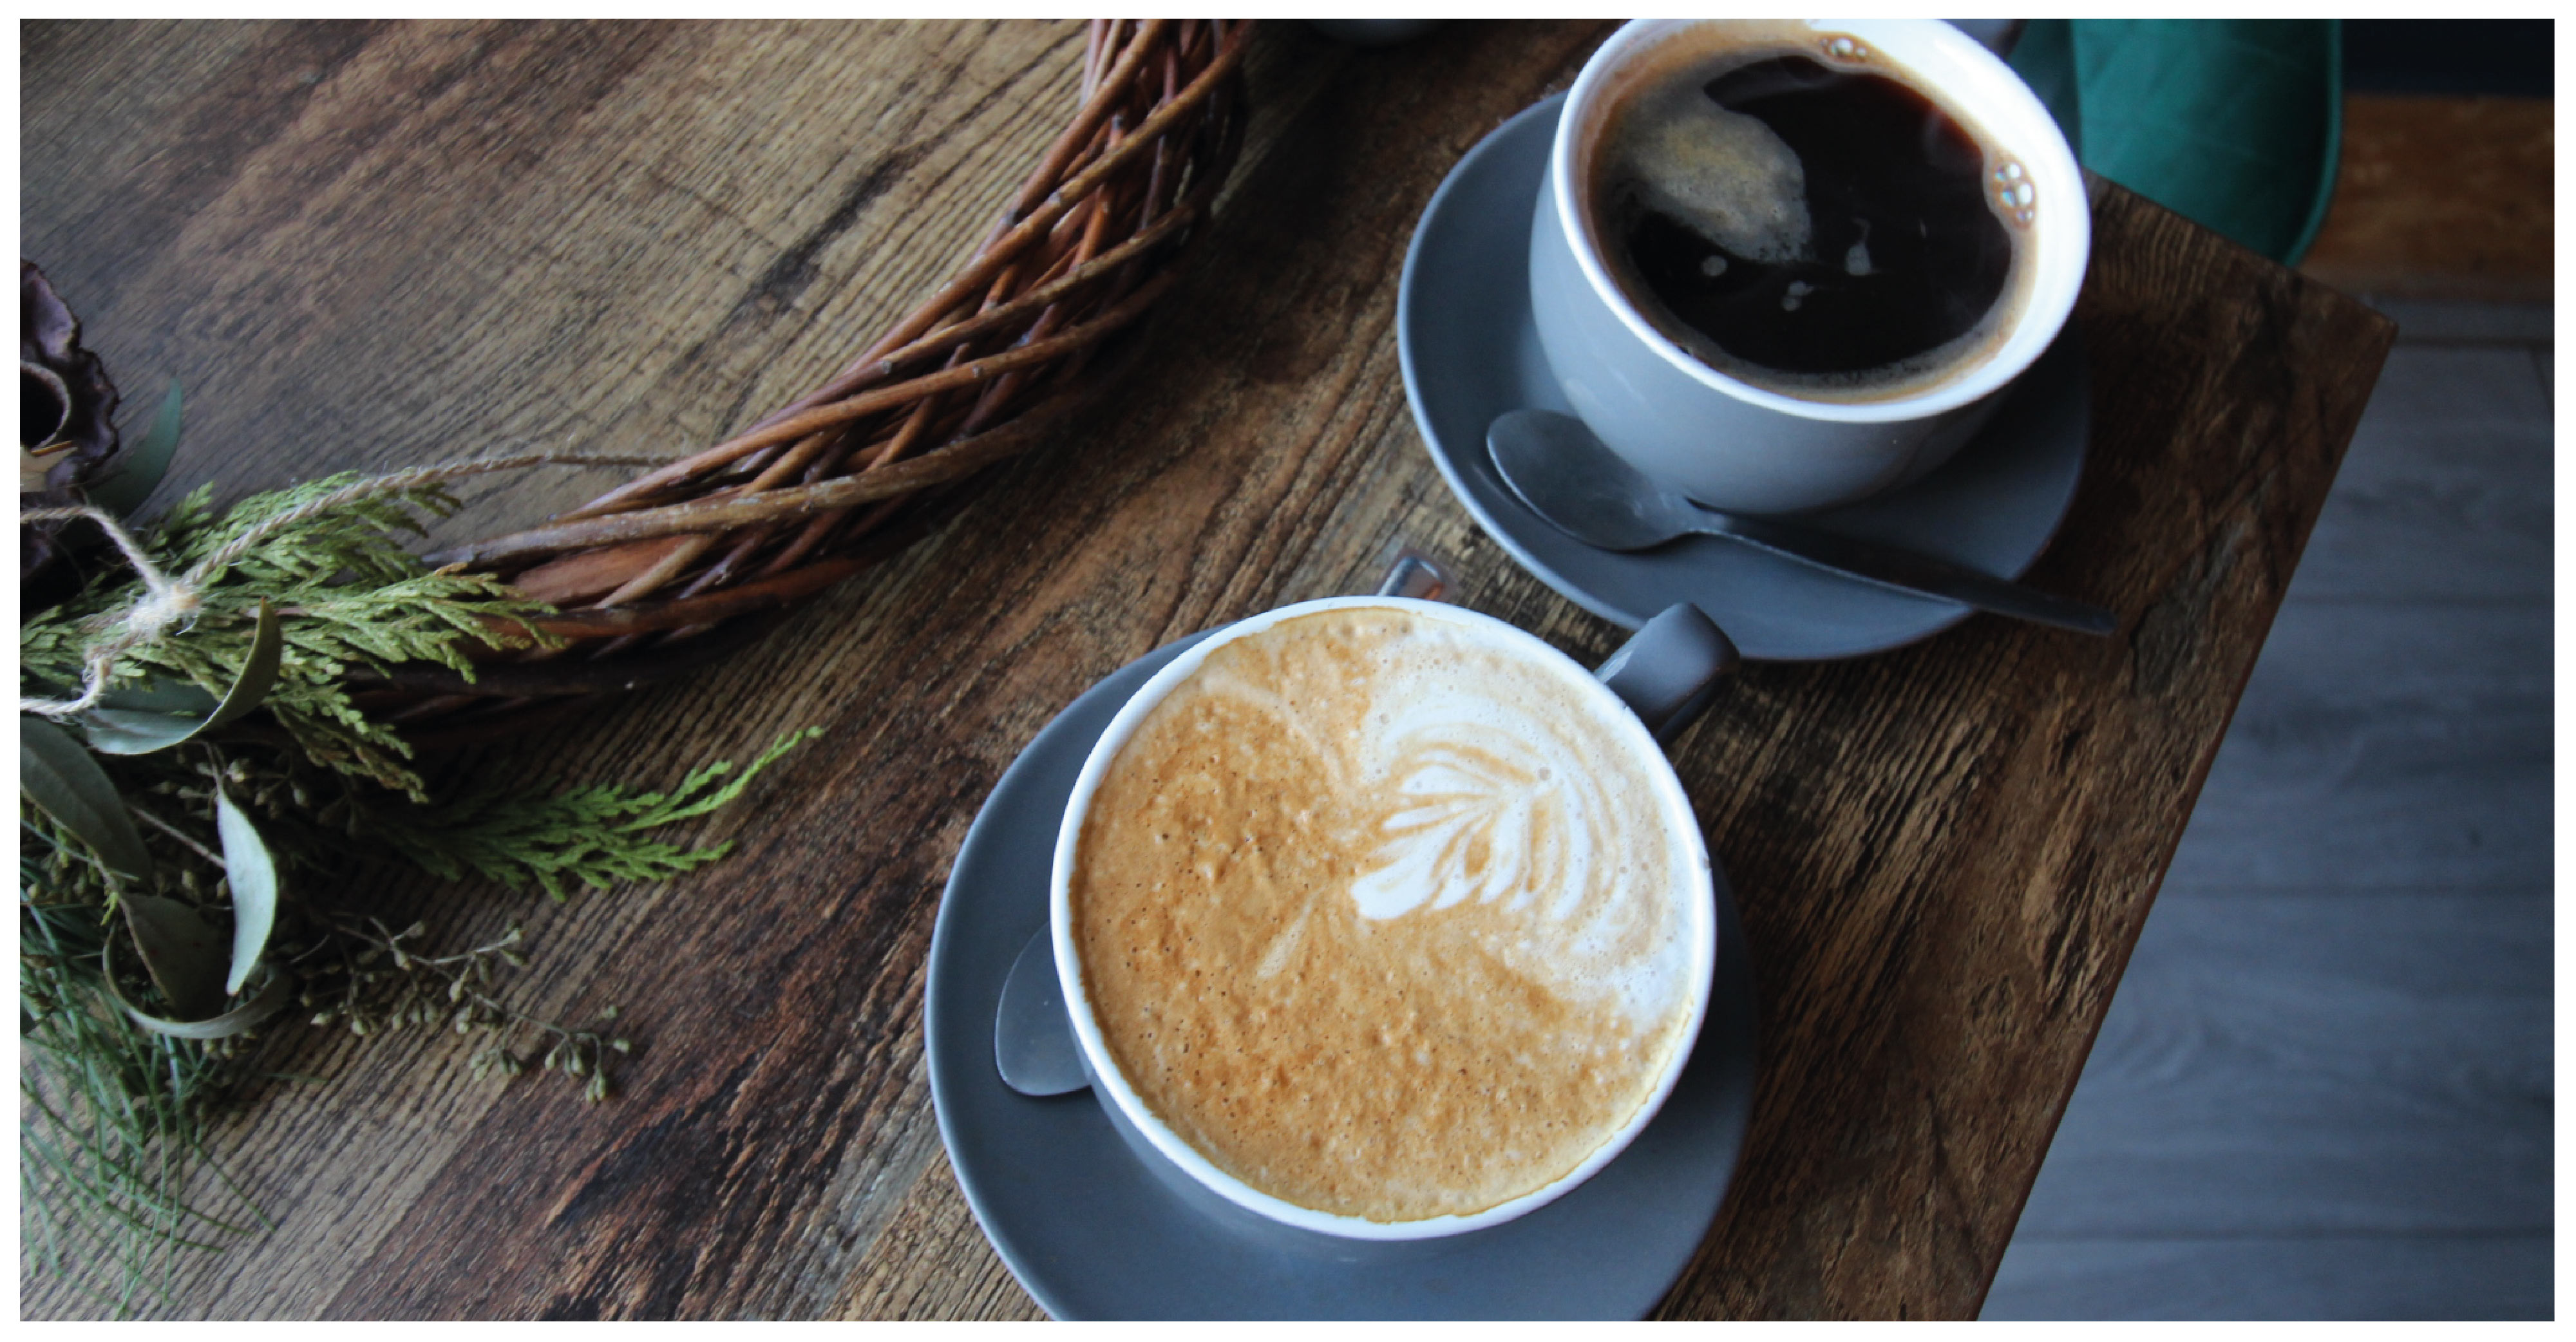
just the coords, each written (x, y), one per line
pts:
(1663, 674)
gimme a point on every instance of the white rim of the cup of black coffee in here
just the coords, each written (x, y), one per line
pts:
(2016, 117)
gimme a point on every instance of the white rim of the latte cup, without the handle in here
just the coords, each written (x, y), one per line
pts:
(1166, 1142)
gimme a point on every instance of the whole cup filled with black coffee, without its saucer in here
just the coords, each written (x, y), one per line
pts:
(1792, 264)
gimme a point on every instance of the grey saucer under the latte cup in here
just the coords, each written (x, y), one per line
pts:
(1094, 1235)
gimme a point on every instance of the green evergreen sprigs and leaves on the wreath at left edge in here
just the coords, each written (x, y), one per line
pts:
(117, 1086)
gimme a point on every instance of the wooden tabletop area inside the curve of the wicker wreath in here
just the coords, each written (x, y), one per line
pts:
(450, 215)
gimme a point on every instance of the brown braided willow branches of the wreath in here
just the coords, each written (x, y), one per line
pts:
(831, 483)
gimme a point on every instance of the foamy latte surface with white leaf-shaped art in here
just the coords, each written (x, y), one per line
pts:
(1382, 918)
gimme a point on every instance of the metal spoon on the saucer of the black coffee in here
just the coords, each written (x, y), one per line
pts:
(1591, 493)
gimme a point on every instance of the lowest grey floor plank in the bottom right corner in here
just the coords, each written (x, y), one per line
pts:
(2278, 1279)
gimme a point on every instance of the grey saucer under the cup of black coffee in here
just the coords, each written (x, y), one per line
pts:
(1472, 354)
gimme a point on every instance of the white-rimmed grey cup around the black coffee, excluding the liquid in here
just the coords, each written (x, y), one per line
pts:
(1743, 447)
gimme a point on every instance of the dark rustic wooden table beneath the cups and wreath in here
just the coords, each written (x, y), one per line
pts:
(375, 246)
